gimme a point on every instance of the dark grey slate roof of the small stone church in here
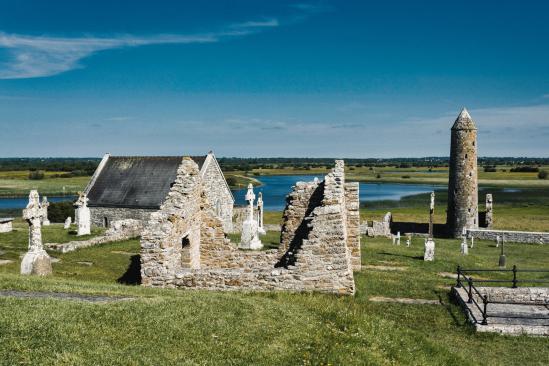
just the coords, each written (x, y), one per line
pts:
(136, 181)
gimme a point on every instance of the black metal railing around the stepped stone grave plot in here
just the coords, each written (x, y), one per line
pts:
(463, 275)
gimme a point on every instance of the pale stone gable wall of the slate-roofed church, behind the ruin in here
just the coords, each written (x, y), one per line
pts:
(218, 193)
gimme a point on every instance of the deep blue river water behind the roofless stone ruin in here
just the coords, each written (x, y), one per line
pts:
(275, 189)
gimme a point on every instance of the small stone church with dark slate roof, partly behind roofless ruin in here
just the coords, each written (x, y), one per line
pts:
(133, 187)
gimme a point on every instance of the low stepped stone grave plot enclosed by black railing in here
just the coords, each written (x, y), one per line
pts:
(518, 311)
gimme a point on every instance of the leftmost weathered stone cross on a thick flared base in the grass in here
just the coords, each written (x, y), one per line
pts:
(36, 261)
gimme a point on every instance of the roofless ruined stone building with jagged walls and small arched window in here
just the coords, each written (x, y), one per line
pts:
(184, 246)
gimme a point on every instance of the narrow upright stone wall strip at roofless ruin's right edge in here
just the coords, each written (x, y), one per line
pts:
(352, 203)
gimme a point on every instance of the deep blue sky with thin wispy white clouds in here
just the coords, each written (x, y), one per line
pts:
(279, 78)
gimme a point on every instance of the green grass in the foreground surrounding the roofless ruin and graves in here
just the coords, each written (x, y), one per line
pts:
(162, 326)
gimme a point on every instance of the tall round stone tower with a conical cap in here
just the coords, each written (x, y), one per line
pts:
(463, 184)
